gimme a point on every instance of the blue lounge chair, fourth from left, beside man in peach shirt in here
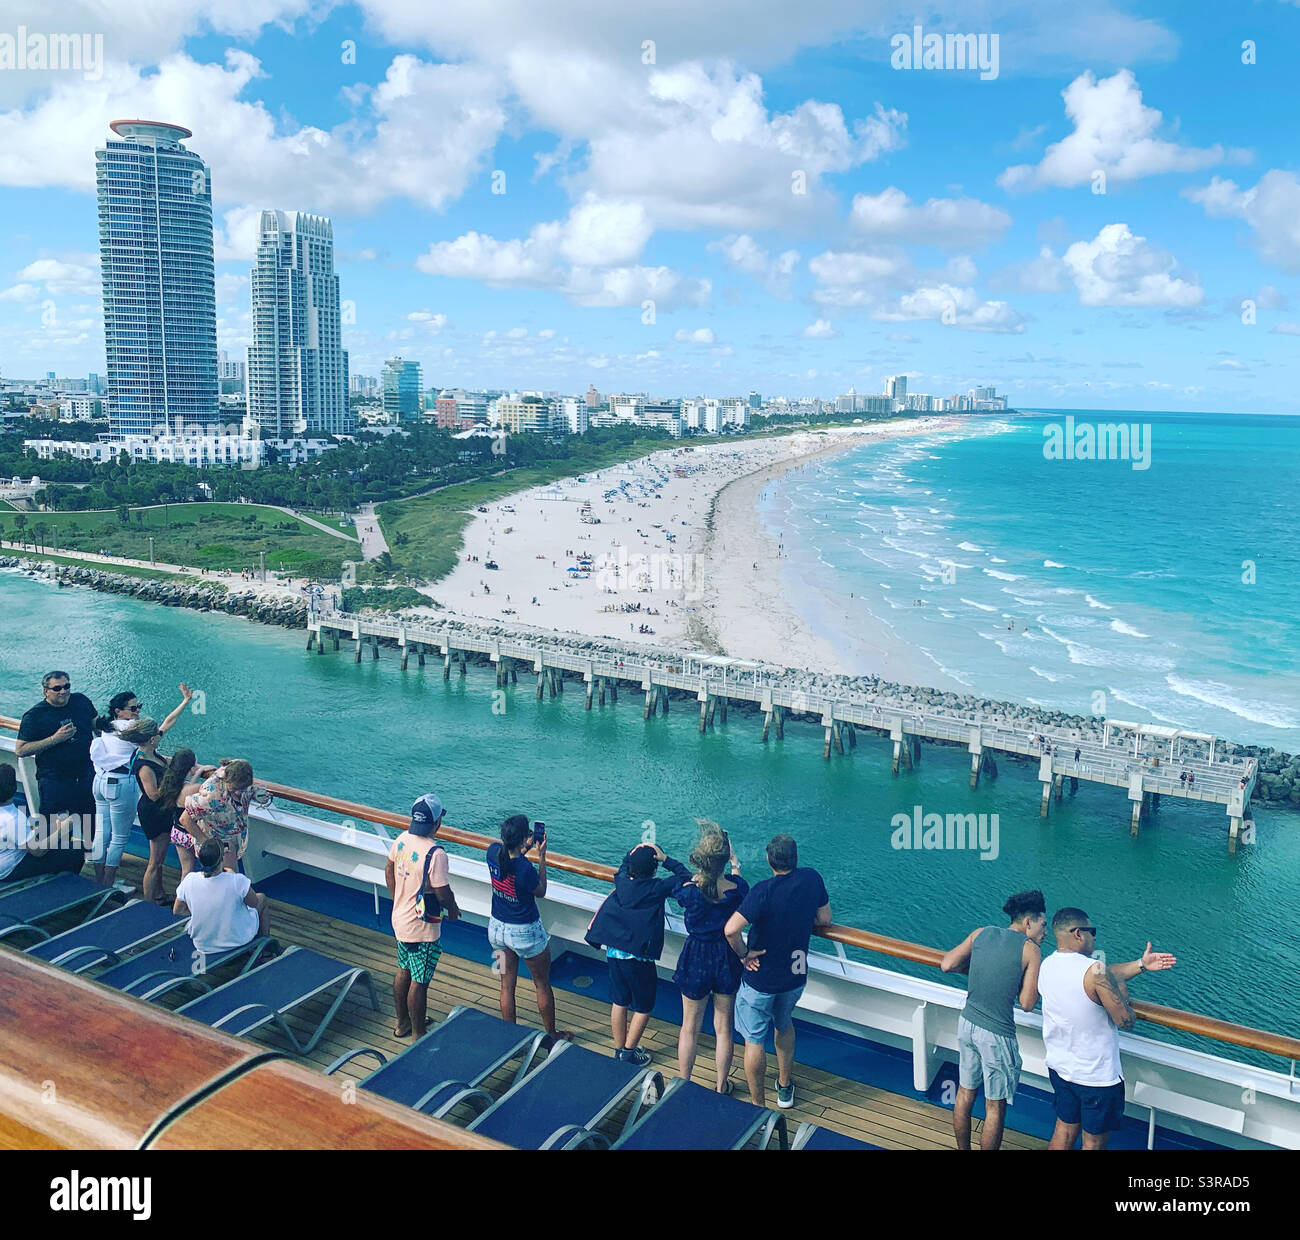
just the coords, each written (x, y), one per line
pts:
(270, 992)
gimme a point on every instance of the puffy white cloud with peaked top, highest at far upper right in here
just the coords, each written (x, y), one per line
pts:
(1115, 132)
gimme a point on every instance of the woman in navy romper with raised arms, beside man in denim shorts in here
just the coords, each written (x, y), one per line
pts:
(708, 968)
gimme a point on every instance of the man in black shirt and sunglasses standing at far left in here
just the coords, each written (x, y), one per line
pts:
(58, 734)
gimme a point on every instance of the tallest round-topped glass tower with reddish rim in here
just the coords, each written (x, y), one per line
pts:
(159, 279)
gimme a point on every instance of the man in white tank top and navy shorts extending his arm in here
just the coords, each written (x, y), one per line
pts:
(1085, 1005)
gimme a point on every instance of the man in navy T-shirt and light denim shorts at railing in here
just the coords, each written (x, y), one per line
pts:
(781, 913)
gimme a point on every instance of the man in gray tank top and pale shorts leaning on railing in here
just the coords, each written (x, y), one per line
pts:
(1003, 966)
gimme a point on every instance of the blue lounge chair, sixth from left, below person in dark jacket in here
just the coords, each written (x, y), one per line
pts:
(557, 1105)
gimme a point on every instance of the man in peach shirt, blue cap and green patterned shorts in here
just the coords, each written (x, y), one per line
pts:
(419, 883)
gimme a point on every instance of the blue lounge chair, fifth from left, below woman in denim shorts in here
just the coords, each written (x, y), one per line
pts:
(456, 1056)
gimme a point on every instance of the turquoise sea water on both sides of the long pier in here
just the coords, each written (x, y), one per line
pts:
(1160, 556)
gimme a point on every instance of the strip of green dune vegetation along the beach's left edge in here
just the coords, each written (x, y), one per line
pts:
(427, 534)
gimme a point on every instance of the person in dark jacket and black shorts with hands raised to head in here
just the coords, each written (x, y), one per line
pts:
(630, 927)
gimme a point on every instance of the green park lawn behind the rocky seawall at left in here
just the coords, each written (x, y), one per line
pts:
(198, 536)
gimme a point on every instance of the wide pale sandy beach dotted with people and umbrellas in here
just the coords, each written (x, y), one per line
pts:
(668, 550)
